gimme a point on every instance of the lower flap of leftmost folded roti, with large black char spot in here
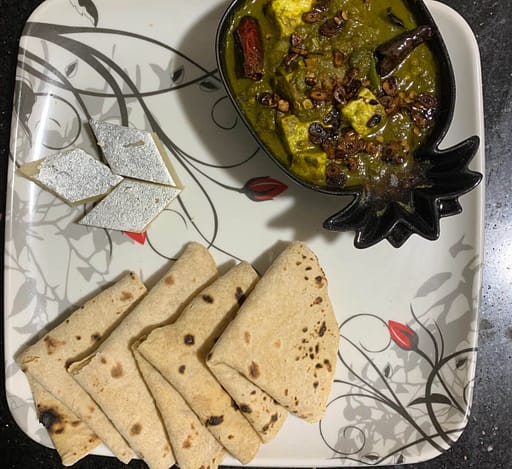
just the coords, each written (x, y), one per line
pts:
(71, 437)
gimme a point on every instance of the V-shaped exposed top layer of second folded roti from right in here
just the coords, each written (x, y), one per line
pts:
(178, 352)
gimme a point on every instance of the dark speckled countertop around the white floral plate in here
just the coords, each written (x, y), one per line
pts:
(486, 442)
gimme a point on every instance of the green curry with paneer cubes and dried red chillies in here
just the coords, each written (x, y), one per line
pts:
(342, 92)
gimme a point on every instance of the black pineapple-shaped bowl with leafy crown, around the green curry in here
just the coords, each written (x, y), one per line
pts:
(446, 175)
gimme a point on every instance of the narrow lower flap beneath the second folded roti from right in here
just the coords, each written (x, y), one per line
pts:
(193, 445)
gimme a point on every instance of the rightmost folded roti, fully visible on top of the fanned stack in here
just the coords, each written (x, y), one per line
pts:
(285, 337)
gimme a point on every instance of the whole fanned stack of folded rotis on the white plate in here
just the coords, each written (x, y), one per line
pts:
(199, 367)
